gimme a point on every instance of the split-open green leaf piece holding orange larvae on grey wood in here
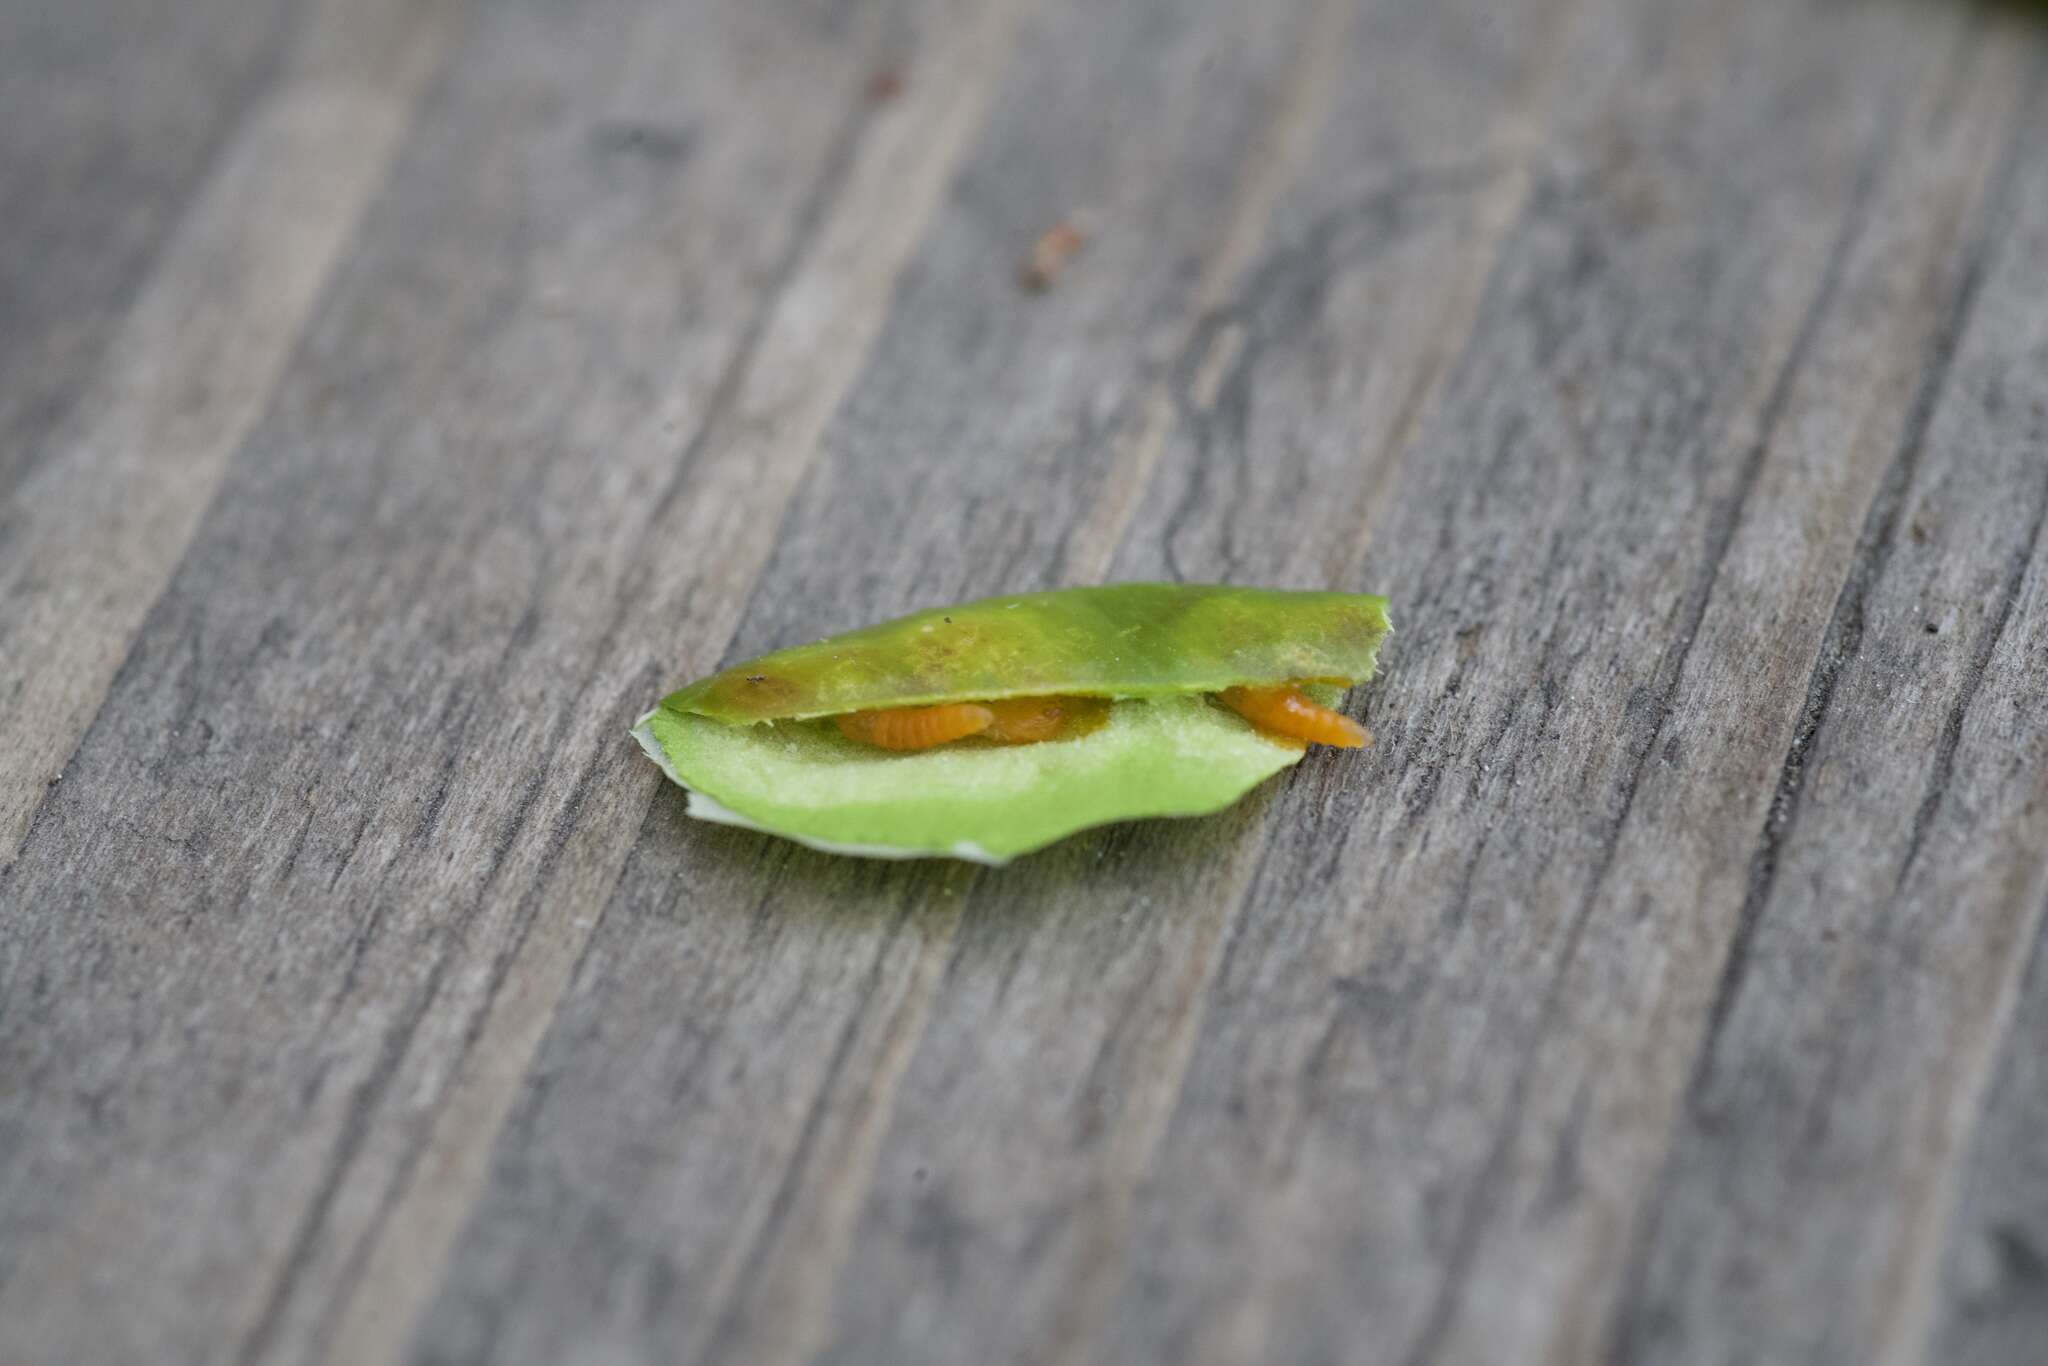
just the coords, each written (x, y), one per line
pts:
(753, 749)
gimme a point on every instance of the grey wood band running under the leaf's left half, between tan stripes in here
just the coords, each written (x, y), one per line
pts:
(744, 1076)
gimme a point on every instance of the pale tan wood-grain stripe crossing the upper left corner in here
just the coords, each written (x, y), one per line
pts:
(99, 523)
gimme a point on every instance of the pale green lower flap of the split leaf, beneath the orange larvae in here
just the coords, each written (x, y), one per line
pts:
(802, 779)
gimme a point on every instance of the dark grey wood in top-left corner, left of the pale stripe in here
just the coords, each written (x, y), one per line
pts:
(112, 118)
